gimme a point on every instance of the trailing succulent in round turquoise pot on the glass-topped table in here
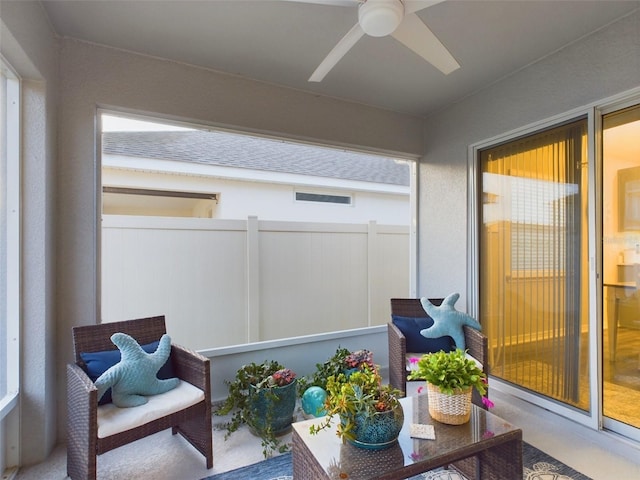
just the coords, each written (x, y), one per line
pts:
(370, 412)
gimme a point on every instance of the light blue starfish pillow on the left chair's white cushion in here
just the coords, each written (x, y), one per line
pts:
(134, 377)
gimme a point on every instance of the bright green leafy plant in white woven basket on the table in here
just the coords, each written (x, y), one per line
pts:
(450, 378)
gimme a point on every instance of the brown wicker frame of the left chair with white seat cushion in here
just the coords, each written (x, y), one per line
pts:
(83, 442)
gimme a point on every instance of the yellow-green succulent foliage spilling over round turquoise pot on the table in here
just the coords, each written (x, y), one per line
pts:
(351, 395)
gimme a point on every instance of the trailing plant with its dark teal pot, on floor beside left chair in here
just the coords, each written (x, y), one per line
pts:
(262, 396)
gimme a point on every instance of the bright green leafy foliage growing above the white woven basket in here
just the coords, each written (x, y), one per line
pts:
(451, 371)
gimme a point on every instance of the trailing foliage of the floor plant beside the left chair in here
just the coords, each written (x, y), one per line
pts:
(250, 379)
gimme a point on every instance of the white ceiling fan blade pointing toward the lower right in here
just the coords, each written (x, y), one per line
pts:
(414, 34)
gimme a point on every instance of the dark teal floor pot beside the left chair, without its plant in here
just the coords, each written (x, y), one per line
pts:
(272, 408)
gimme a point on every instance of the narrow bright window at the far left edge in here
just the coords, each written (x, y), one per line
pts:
(9, 250)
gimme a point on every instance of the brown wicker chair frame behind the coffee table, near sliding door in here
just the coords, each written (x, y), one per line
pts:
(476, 343)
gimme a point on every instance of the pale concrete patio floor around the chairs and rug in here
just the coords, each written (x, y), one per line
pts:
(166, 457)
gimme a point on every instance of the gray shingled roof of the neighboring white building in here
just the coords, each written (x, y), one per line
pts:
(243, 151)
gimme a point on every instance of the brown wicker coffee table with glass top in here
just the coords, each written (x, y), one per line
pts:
(485, 448)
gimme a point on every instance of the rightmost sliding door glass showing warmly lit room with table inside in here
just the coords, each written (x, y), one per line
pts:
(621, 268)
